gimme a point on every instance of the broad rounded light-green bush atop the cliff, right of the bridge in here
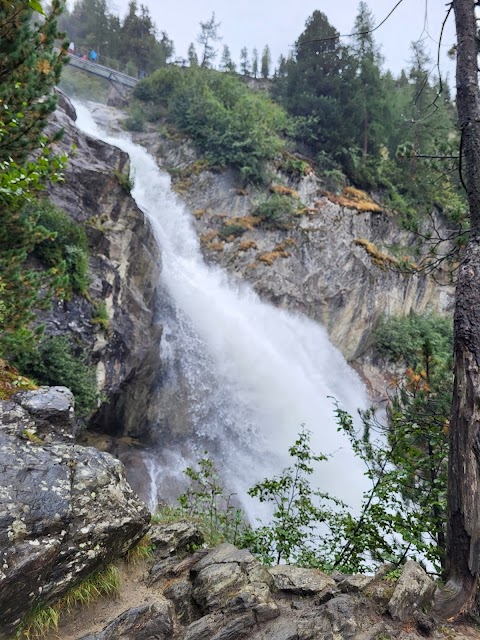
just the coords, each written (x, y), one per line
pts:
(229, 123)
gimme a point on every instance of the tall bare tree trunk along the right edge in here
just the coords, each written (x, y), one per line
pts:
(463, 526)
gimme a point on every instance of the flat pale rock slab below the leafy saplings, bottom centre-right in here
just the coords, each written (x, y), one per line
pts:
(299, 581)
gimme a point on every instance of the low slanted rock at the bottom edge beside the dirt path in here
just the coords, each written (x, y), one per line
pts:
(148, 622)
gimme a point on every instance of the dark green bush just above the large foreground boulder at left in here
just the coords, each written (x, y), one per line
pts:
(55, 361)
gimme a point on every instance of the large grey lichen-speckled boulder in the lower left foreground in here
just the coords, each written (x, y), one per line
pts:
(65, 510)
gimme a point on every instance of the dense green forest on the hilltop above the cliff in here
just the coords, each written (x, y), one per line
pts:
(341, 108)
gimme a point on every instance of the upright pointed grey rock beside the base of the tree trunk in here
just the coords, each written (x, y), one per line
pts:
(413, 591)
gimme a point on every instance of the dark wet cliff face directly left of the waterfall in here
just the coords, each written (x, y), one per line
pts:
(124, 266)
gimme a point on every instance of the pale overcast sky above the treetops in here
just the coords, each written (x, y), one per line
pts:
(278, 23)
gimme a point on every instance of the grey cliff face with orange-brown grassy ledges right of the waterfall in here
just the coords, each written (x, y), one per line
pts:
(334, 261)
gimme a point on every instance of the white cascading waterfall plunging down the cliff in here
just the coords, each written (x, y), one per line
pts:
(252, 373)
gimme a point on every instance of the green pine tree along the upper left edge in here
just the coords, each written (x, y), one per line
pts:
(29, 69)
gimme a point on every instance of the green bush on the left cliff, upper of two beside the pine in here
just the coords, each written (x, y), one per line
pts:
(66, 246)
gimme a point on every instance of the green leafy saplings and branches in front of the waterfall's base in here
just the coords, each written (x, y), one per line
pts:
(402, 513)
